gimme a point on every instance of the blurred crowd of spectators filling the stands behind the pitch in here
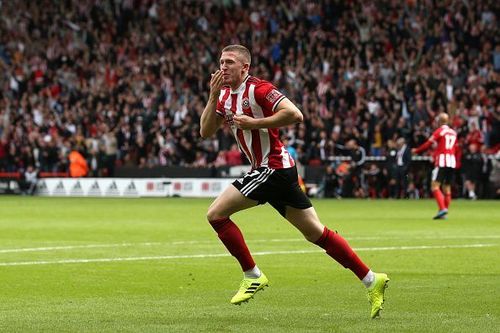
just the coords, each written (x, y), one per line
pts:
(125, 81)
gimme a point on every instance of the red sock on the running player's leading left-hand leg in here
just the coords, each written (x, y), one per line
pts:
(232, 238)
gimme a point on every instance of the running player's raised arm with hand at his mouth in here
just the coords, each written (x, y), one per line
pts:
(210, 121)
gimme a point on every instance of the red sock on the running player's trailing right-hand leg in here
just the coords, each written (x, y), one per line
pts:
(338, 248)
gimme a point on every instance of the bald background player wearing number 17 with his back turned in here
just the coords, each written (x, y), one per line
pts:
(445, 140)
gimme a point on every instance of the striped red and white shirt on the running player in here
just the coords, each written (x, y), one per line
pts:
(257, 99)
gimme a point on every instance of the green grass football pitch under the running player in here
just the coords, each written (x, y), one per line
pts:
(452, 289)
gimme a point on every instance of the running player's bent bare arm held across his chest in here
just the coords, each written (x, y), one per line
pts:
(285, 113)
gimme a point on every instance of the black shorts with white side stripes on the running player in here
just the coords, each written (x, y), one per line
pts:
(279, 187)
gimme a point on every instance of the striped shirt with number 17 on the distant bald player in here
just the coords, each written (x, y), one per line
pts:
(444, 155)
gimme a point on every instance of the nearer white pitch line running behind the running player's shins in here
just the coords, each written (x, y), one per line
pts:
(262, 253)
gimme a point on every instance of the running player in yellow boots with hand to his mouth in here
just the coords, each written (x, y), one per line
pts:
(255, 110)
